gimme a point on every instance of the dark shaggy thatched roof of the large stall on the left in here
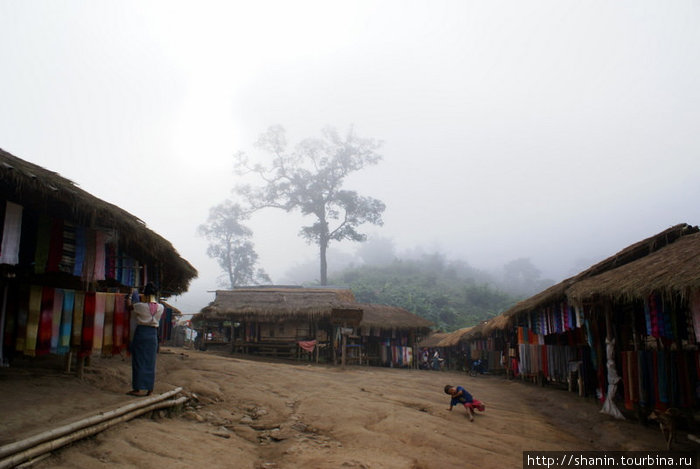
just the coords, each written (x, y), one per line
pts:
(44, 191)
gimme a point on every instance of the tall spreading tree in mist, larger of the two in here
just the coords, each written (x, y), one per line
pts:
(310, 179)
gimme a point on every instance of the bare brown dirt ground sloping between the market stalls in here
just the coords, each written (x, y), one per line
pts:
(260, 414)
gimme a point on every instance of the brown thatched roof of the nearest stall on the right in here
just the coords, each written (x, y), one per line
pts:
(674, 269)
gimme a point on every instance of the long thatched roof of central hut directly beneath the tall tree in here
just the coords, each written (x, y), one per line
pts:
(273, 304)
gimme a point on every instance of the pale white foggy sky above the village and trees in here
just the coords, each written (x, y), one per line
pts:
(555, 130)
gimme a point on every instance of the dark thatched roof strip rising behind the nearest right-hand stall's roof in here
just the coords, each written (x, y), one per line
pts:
(639, 250)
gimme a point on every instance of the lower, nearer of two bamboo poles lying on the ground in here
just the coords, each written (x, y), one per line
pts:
(52, 445)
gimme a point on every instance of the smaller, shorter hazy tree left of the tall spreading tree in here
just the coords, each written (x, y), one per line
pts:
(230, 245)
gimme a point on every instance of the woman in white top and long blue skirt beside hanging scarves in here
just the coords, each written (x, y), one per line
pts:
(144, 343)
